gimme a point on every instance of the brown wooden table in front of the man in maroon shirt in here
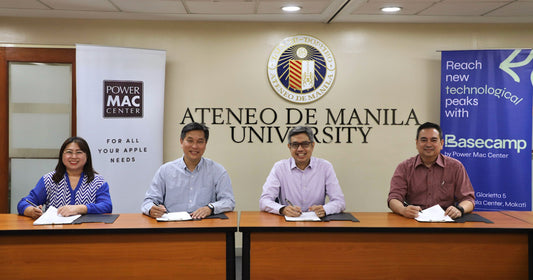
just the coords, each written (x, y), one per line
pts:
(384, 246)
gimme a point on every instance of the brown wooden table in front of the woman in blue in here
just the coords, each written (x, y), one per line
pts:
(133, 247)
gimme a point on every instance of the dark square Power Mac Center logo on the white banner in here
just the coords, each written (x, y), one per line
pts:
(123, 99)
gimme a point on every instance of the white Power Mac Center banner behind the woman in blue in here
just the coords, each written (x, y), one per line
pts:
(120, 93)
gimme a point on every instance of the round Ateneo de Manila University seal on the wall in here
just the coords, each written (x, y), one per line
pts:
(301, 69)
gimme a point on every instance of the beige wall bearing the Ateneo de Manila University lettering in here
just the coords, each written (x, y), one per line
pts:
(213, 64)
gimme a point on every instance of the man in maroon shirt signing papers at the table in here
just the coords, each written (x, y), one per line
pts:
(430, 178)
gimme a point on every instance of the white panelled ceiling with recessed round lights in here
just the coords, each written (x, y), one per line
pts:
(326, 11)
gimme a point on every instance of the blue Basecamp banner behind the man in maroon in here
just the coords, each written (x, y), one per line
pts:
(486, 119)
